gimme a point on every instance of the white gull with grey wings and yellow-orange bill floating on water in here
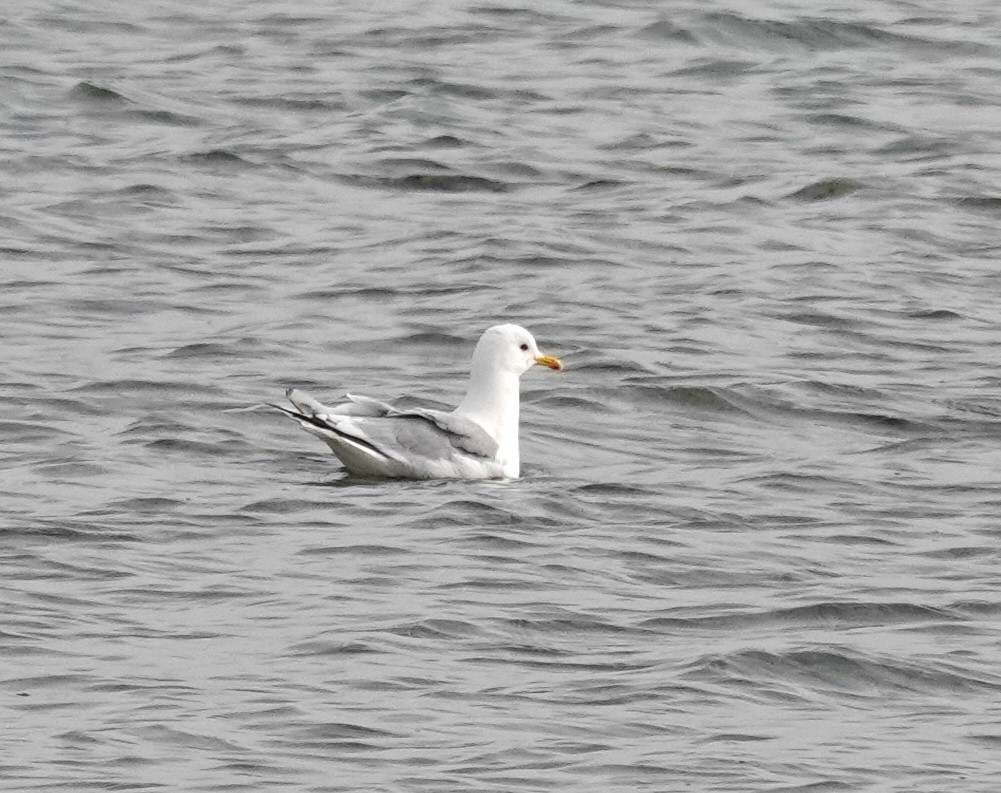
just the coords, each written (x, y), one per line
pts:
(479, 440)
